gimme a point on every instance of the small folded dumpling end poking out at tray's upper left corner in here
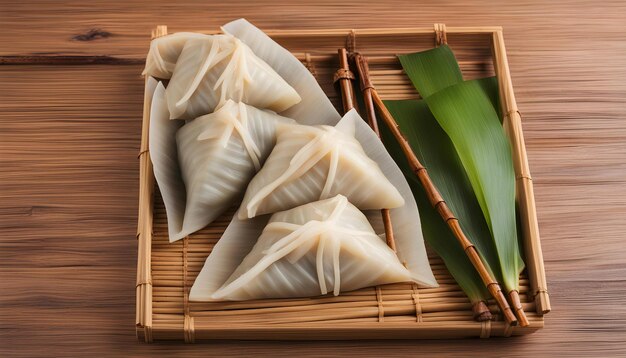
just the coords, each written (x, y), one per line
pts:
(164, 52)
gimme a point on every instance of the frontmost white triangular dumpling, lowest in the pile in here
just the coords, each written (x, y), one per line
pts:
(324, 246)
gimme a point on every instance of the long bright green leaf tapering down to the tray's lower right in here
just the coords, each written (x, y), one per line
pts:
(467, 115)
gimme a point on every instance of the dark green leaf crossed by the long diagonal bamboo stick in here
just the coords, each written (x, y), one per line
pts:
(435, 150)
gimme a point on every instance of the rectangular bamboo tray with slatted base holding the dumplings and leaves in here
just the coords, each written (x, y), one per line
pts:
(166, 272)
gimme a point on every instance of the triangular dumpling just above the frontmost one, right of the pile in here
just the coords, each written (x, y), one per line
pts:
(312, 163)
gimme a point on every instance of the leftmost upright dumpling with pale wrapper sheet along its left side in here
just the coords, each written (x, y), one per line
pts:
(203, 167)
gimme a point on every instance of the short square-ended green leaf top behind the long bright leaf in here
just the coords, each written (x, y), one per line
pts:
(432, 70)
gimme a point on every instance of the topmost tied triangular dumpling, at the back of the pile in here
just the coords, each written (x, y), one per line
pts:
(213, 69)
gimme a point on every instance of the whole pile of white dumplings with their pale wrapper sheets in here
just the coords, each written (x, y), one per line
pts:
(203, 165)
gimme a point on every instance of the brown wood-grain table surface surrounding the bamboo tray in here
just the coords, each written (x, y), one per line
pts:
(69, 138)
